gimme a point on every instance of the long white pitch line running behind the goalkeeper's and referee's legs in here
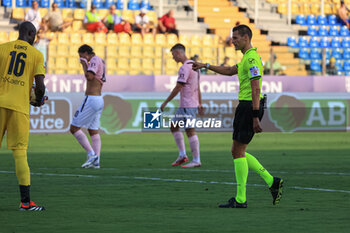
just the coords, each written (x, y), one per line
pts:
(176, 180)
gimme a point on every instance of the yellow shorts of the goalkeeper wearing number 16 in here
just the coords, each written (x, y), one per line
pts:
(16, 125)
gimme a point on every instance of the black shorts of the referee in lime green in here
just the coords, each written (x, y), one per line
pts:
(243, 123)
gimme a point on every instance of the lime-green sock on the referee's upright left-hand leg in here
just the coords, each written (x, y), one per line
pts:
(241, 172)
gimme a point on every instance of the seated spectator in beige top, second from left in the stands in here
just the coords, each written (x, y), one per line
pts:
(54, 19)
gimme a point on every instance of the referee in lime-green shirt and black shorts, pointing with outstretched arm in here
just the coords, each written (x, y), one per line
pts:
(248, 115)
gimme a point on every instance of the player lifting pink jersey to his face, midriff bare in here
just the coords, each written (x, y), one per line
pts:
(89, 113)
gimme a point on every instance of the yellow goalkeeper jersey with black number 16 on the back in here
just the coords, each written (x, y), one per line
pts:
(19, 63)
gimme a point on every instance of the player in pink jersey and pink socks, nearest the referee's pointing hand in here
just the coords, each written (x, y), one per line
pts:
(190, 103)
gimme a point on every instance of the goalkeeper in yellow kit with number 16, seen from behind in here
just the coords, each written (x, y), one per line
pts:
(20, 63)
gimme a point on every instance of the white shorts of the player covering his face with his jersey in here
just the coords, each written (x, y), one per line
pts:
(89, 113)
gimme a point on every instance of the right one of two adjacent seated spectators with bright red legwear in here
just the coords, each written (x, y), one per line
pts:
(115, 22)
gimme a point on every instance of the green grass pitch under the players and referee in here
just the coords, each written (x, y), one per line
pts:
(138, 191)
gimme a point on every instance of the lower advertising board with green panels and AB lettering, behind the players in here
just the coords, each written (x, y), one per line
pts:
(124, 112)
